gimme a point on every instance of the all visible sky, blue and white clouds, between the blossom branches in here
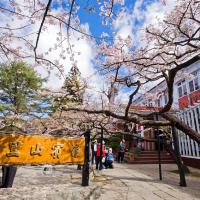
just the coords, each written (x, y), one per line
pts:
(137, 14)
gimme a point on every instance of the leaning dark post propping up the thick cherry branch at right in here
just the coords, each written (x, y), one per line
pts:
(178, 158)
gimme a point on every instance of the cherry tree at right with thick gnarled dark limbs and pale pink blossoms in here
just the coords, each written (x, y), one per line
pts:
(168, 49)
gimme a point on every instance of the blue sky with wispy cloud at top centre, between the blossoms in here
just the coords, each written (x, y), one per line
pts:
(139, 13)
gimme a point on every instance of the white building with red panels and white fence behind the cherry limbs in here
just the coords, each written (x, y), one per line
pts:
(187, 103)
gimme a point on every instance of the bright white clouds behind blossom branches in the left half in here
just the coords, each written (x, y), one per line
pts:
(82, 50)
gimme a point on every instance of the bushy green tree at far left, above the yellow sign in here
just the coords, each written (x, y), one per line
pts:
(18, 84)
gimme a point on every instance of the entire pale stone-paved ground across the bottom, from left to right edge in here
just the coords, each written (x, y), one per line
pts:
(124, 182)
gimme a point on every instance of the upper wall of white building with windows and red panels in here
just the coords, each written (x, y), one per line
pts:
(190, 95)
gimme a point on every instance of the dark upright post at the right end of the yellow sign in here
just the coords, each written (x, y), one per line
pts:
(85, 171)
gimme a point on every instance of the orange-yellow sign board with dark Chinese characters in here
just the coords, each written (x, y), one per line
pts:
(33, 149)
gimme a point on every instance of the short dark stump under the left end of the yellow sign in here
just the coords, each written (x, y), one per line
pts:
(8, 175)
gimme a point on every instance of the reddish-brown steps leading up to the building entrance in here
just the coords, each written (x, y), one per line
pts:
(149, 157)
